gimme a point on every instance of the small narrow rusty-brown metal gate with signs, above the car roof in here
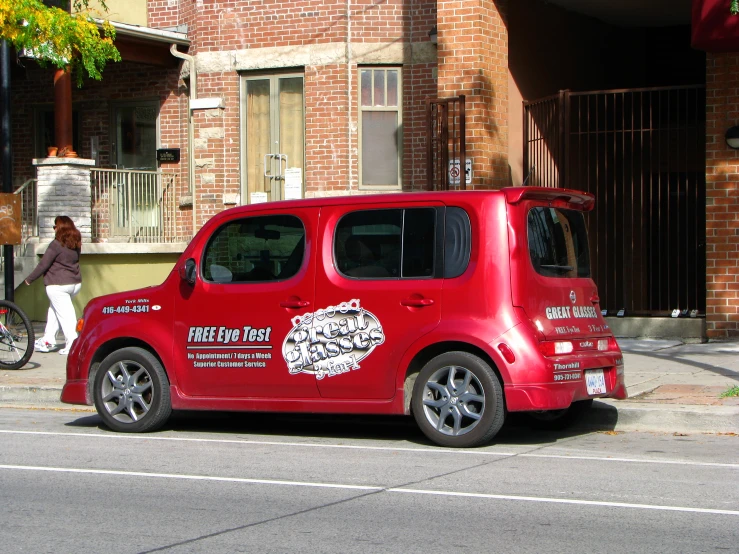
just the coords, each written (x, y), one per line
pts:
(445, 142)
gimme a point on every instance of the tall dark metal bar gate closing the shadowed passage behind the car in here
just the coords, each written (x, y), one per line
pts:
(642, 153)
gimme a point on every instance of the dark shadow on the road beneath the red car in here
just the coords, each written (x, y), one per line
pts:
(516, 430)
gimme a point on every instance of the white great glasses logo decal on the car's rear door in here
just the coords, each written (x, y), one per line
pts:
(331, 341)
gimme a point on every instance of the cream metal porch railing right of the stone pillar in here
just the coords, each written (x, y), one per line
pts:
(134, 206)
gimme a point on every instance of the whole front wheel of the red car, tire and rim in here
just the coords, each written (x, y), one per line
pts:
(131, 391)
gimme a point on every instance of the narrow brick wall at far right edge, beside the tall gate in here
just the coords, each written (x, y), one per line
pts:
(722, 197)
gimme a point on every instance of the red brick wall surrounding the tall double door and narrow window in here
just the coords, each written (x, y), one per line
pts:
(238, 28)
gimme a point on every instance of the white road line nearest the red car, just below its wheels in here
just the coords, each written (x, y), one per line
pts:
(457, 451)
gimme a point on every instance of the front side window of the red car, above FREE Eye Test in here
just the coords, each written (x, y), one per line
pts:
(255, 249)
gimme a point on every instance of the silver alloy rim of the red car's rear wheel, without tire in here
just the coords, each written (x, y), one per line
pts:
(453, 400)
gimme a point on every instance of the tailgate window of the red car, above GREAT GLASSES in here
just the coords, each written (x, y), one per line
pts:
(558, 242)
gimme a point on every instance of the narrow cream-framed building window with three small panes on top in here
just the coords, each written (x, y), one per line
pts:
(380, 127)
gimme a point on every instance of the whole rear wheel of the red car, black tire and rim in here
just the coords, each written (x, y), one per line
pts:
(458, 400)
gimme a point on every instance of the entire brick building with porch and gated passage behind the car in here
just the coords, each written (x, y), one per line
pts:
(262, 101)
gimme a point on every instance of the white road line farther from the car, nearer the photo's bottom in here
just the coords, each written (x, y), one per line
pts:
(370, 488)
